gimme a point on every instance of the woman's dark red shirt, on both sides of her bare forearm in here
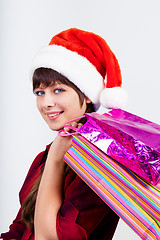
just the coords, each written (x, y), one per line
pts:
(83, 215)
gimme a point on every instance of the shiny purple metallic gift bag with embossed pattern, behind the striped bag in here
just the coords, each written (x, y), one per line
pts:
(127, 138)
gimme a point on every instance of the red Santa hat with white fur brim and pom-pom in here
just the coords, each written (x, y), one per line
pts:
(87, 61)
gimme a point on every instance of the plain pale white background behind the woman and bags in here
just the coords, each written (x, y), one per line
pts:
(131, 29)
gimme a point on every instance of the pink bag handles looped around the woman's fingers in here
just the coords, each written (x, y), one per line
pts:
(64, 133)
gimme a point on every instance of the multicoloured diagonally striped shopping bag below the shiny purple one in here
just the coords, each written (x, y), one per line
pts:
(118, 186)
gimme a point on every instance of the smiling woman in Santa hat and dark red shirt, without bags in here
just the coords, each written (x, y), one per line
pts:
(75, 74)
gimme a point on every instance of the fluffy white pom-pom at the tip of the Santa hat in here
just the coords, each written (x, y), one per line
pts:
(114, 98)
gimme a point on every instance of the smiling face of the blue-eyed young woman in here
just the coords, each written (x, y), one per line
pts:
(58, 104)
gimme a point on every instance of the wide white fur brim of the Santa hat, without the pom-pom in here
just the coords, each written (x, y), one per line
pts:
(72, 65)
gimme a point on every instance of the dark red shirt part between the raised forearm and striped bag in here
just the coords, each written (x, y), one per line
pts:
(83, 214)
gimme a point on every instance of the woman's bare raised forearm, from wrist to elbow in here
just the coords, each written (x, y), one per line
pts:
(49, 198)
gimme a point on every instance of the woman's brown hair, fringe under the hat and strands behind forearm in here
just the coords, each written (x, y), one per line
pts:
(47, 77)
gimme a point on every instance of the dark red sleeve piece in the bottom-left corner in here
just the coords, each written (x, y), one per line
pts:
(16, 229)
